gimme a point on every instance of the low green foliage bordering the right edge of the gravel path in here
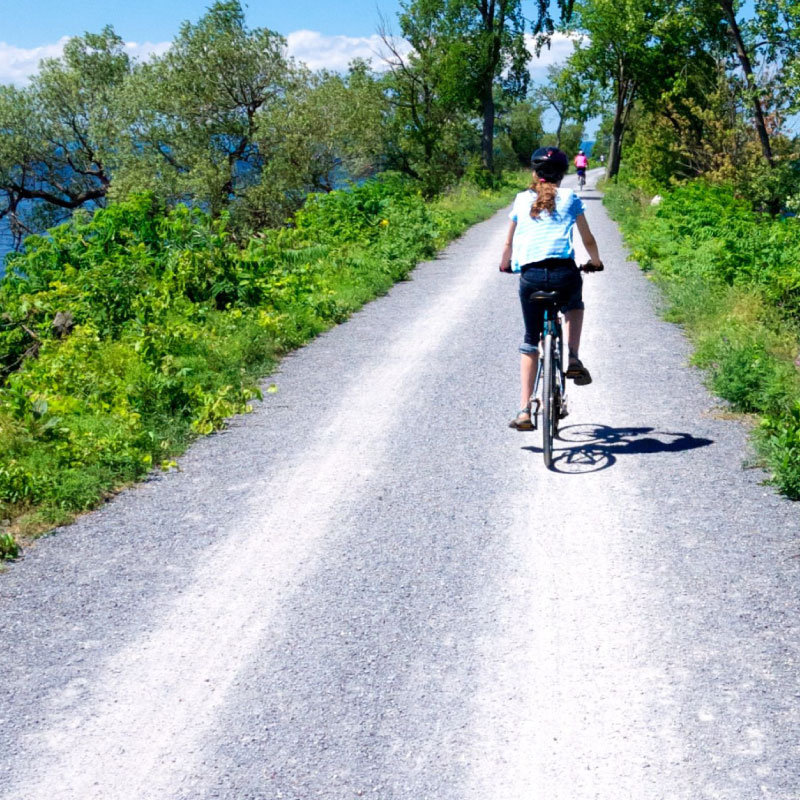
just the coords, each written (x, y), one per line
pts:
(732, 277)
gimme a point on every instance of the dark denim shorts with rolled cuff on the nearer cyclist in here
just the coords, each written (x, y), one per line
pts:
(553, 275)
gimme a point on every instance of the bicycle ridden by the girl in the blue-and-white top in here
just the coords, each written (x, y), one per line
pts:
(550, 372)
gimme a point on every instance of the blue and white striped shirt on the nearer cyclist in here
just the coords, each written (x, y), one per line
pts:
(548, 236)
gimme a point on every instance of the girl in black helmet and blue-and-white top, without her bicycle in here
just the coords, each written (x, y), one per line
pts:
(539, 246)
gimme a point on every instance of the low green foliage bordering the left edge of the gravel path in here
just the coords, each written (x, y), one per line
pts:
(174, 322)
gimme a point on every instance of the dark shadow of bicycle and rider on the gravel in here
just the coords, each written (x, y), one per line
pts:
(591, 448)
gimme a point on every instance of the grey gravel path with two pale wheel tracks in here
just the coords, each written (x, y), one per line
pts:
(371, 587)
